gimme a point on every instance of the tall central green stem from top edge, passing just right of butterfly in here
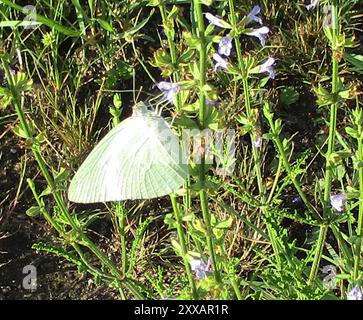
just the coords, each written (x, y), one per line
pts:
(202, 106)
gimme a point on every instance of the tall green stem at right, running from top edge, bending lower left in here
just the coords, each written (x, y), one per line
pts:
(331, 144)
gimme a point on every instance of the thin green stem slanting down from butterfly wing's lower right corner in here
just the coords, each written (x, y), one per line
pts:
(179, 227)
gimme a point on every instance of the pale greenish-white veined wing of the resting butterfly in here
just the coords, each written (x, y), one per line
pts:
(133, 161)
